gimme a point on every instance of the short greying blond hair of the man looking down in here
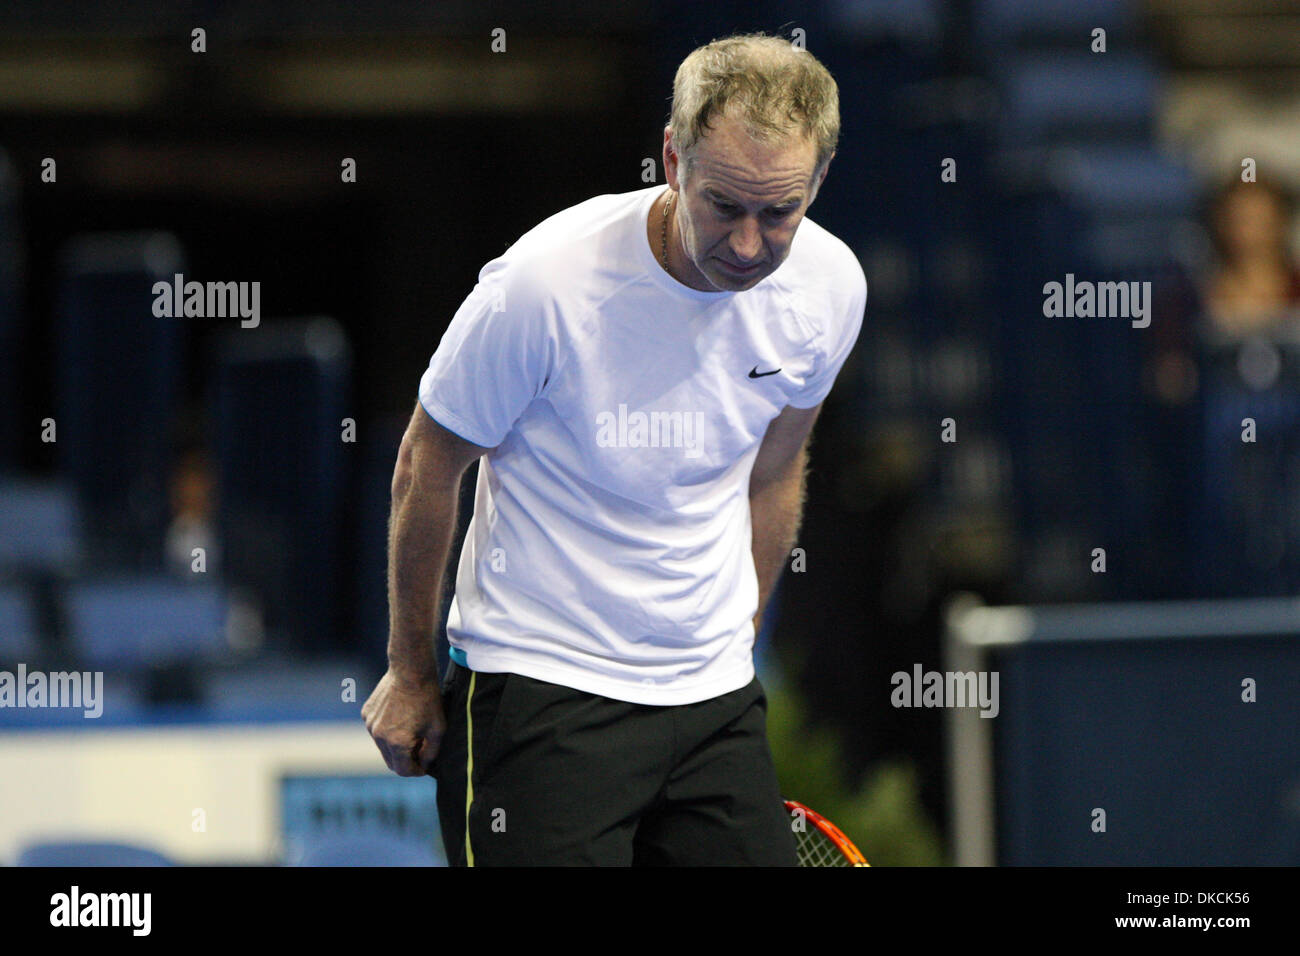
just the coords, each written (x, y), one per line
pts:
(778, 88)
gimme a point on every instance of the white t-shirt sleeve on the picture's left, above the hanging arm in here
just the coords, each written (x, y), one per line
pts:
(495, 358)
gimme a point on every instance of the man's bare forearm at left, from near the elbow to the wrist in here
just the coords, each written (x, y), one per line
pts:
(421, 531)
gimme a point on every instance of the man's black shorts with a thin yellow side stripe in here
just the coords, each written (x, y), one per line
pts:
(557, 777)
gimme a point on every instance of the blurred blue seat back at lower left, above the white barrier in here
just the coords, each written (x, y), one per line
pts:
(145, 621)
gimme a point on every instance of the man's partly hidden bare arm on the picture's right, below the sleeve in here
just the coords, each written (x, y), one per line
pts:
(777, 496)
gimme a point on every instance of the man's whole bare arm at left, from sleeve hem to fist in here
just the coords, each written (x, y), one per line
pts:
(405, 712)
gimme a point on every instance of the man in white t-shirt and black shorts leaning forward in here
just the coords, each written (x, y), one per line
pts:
(639, 377)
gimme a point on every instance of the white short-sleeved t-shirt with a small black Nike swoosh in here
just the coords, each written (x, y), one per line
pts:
(610, 544)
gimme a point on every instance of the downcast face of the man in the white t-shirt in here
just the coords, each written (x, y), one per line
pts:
(740, 205)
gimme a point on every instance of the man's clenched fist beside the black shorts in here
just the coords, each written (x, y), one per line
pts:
(405, 719)
